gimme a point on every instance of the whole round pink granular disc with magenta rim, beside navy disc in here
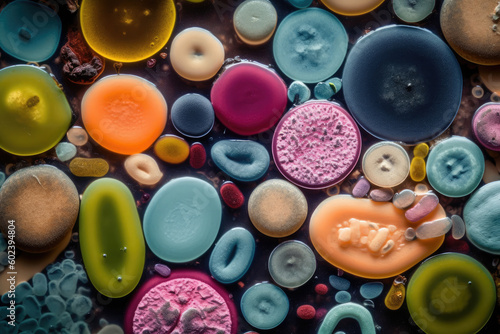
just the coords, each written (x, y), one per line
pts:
(318, 144)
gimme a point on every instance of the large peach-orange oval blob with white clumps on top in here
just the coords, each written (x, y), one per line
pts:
(366, 238)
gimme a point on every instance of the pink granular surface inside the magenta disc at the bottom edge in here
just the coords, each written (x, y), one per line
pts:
(182, 306)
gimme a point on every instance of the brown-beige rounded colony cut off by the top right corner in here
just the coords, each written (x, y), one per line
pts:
(472, 28)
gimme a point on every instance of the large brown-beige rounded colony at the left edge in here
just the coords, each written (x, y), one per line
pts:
(44, 204)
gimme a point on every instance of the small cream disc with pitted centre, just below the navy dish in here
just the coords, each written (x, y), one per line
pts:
(386, 164)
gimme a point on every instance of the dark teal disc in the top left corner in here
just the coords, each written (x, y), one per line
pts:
(30, 30)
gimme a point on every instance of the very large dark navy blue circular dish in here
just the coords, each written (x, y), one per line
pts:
(402, 83)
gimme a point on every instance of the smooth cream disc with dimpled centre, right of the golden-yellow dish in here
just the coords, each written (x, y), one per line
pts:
(196, 54)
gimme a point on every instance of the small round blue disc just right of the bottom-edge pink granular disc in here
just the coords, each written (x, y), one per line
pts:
(264, 306)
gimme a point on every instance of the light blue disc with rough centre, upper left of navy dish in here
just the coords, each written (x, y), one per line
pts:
(310, 45)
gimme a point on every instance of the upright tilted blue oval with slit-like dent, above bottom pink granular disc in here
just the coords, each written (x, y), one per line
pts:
(232, 255)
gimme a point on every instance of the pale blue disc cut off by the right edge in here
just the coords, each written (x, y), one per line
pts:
(482, 218)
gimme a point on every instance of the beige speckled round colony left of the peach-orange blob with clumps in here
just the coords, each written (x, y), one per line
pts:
(277, 208)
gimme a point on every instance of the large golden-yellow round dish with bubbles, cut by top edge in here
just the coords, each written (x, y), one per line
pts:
(127, 30)
